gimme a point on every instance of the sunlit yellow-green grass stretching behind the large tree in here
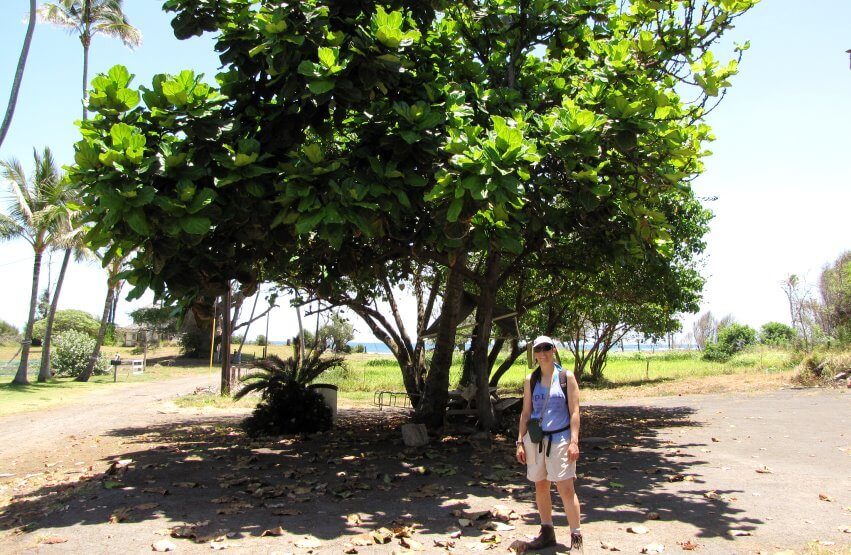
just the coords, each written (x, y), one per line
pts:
(364, 374)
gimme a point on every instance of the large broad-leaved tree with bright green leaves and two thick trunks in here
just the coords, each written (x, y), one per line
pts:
(488, 138)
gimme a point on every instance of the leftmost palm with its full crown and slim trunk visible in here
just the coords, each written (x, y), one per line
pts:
(35, 213)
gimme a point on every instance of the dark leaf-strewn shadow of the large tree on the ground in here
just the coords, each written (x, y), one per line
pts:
(207, 476)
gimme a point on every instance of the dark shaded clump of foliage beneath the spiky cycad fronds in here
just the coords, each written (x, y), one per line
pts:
(288, 408)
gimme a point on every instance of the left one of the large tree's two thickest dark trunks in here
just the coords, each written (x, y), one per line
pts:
(432, 407)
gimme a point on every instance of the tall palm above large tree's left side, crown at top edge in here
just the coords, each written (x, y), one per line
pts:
(86, 18)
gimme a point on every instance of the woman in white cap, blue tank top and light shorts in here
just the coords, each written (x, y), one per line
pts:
(551, 415)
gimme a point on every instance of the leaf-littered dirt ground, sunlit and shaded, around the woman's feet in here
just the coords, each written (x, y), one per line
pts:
(693, 461)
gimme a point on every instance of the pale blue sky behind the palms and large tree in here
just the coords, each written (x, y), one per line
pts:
(779, 170)
